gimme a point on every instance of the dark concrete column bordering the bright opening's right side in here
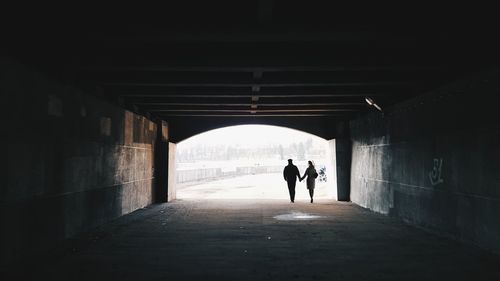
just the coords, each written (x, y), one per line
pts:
(343, 154)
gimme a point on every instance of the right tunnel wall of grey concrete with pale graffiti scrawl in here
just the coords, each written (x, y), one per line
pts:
(434, 161)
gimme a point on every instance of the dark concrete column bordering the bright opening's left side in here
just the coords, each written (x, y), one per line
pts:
(161, 163)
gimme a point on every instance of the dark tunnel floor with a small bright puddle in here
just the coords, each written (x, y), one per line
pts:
(261, 240)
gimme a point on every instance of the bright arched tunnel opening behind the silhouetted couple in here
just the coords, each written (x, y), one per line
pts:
(247, 162)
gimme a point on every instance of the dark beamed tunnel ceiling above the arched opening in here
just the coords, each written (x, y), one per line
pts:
(305, 65)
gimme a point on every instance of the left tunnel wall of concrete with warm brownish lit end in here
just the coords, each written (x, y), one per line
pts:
(70, 162)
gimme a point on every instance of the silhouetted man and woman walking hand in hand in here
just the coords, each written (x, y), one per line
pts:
(291, 173)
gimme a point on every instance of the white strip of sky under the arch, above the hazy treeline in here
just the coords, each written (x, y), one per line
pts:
(250, 135)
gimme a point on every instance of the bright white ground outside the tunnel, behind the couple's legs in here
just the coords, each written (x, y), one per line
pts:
(261, 186)
